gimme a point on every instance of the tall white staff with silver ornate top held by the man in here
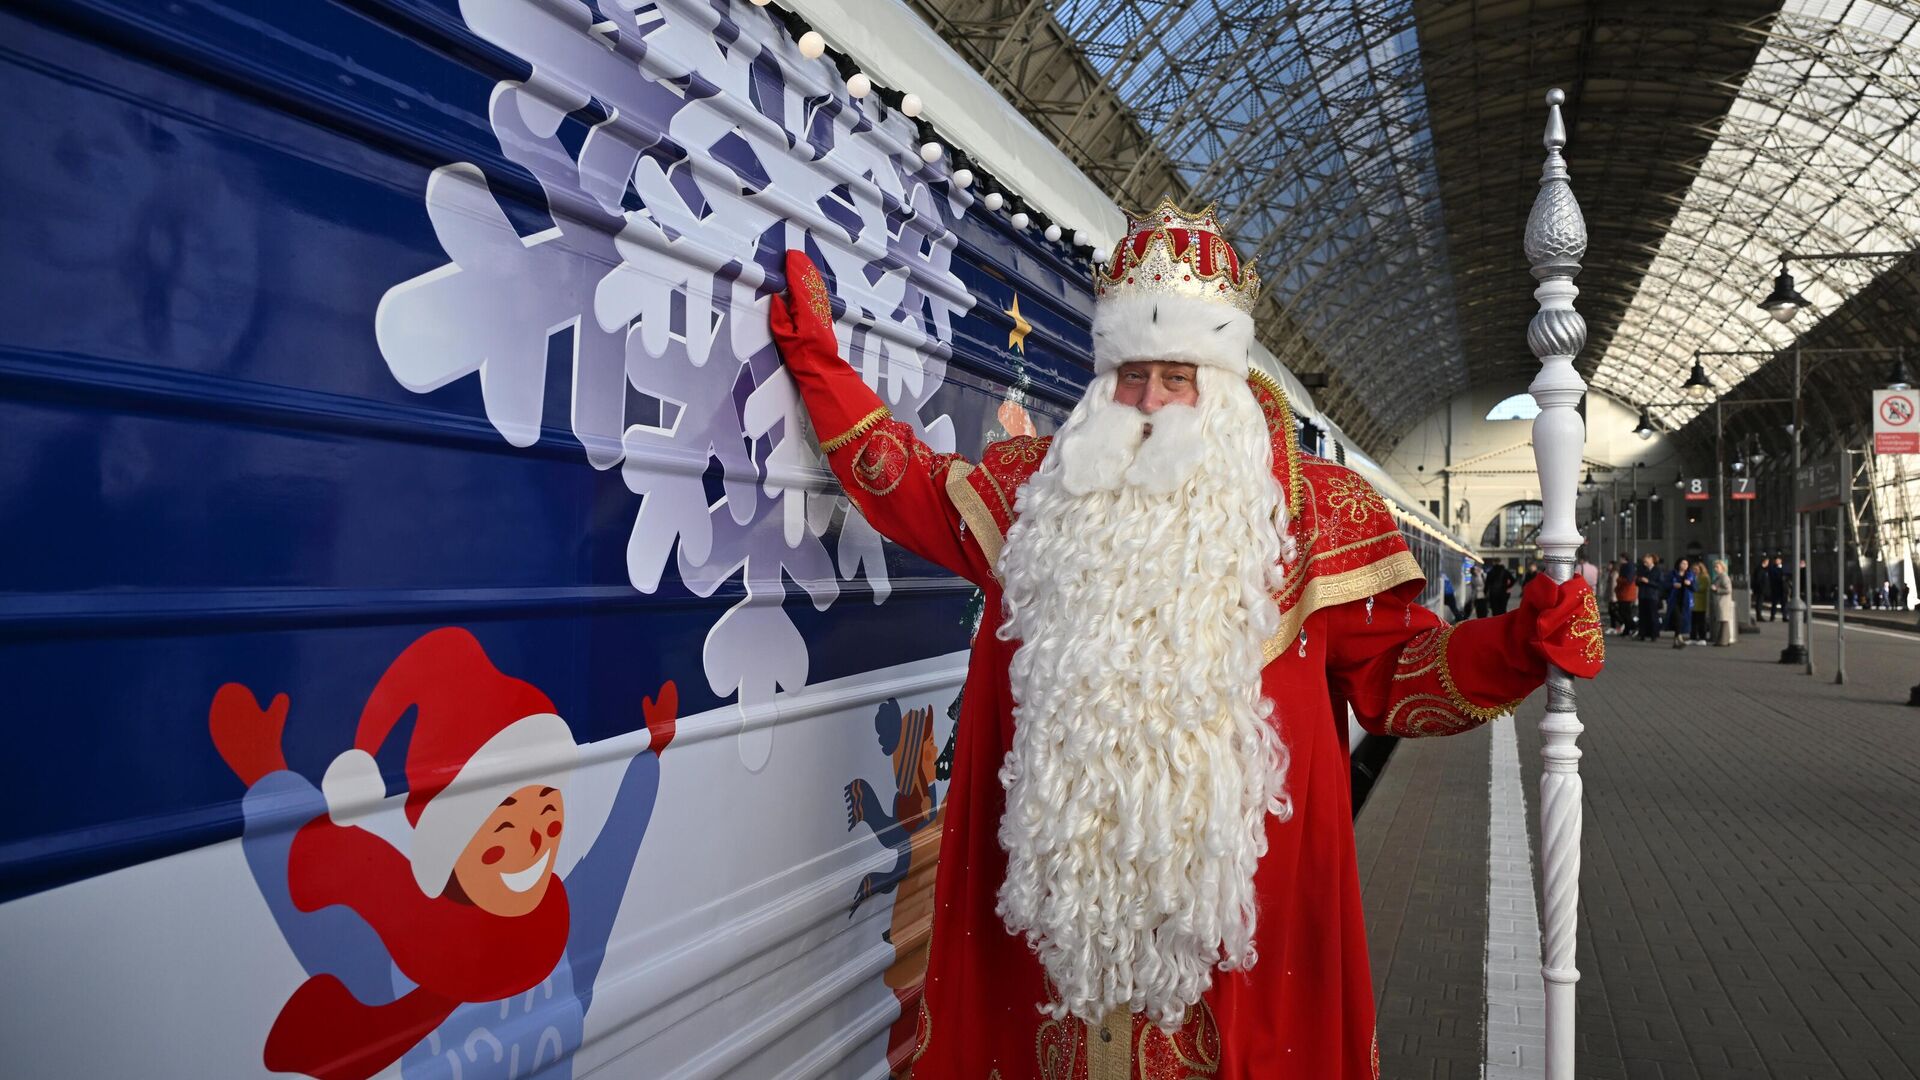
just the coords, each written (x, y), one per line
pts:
(1556, 239)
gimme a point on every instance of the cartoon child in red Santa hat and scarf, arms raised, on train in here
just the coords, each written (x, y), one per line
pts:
(437, 935)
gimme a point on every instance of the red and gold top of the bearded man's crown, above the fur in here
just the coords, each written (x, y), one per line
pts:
(1172, 253)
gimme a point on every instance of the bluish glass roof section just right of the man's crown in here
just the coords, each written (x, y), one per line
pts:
(1308, 124)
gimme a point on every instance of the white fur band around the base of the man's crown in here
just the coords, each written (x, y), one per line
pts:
(1172, 328)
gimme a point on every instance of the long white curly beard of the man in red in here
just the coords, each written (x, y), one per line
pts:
(1140, 579)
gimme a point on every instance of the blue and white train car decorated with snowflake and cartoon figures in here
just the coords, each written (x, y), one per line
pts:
(433, 639)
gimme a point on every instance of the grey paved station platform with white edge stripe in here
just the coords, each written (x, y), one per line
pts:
(1750, 898)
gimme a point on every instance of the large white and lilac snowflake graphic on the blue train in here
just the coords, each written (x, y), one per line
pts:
(711, 145)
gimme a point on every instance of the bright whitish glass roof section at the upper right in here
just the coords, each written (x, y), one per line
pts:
(1817, 155)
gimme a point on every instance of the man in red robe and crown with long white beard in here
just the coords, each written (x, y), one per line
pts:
(1147, 866)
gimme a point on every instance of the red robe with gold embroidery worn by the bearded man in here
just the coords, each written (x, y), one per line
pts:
(1351, 635)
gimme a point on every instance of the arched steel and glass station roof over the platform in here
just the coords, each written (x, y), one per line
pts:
(1380, 157)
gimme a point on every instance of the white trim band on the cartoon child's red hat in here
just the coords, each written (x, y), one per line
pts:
(533, 750)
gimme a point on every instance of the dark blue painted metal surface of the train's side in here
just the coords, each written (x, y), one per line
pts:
(210, 472)
